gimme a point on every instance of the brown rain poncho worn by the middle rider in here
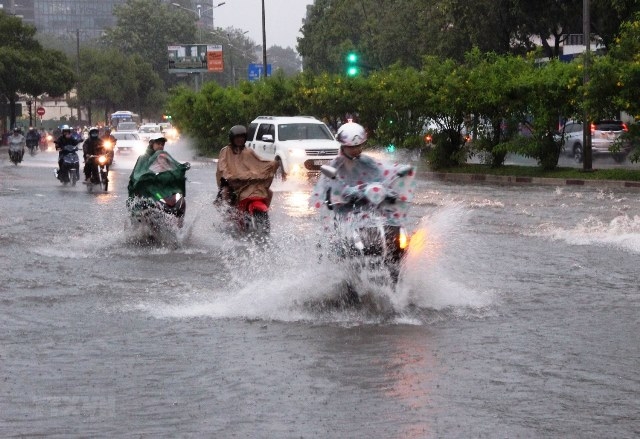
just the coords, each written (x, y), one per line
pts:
(247, 174)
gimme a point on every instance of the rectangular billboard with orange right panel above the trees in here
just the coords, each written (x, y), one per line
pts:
(195, 58)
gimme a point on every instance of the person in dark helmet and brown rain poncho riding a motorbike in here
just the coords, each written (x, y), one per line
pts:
(241, 175)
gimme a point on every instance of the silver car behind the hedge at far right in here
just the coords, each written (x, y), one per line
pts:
(603, 135)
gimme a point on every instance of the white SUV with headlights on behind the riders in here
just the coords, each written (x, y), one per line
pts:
(300, 143)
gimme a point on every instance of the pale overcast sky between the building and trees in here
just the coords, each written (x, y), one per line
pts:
(283, 18)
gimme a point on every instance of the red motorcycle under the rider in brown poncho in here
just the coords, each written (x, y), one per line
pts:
(250, 215)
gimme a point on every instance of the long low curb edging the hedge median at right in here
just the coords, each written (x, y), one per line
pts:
(526, 181)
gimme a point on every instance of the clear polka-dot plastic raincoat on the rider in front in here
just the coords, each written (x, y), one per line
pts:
(363, 170)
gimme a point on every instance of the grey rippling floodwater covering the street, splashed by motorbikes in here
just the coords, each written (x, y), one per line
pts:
(517, 315)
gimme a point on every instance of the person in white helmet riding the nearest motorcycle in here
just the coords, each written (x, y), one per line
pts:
(353, 168)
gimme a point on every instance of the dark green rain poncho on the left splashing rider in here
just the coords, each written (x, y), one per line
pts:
(157, 175)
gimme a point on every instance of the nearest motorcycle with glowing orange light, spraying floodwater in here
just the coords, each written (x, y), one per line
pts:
(369, 228)
